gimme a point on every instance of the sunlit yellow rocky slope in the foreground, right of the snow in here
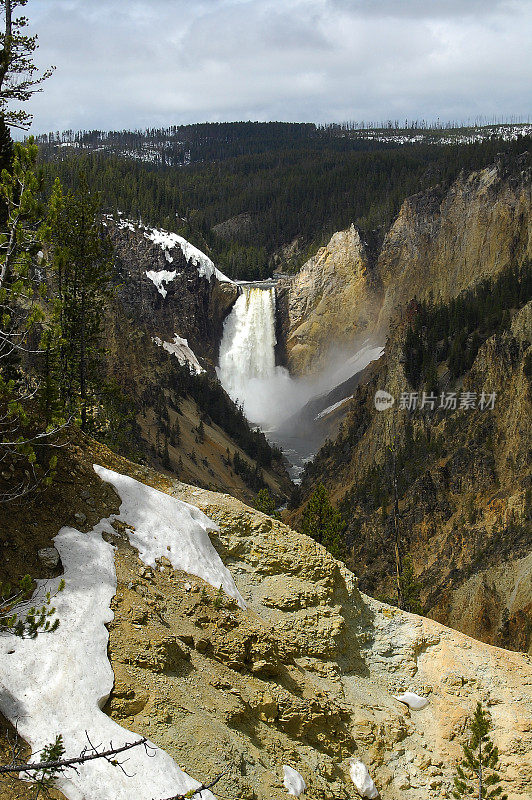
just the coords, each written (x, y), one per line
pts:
(306, 675)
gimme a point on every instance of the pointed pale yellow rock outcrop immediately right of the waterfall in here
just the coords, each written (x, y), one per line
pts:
(328, 304)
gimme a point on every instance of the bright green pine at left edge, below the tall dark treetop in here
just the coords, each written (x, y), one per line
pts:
(24, 436)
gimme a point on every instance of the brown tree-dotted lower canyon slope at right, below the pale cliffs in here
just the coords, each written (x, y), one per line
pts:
(465, 512)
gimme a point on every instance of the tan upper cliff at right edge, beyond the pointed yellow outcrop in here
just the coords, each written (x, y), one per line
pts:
(442, 243)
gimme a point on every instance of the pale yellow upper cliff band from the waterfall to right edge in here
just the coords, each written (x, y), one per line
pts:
(440, 244)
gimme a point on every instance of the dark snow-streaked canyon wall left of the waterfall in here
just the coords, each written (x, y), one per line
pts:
(162, 333)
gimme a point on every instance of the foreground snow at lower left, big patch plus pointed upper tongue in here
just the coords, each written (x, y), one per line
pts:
(59, 682)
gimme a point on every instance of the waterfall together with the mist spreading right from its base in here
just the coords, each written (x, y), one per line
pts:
(270, 397)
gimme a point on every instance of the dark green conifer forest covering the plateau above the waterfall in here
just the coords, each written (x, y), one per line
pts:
(301, 190)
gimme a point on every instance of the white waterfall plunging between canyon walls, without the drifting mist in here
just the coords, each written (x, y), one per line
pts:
(247, 368)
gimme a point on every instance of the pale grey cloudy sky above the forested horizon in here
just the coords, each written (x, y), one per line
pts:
(133, 63)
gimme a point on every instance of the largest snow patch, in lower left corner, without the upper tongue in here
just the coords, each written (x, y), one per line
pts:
(59, 682)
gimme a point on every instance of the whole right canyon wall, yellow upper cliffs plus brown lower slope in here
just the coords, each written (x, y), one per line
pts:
(465, 504)
